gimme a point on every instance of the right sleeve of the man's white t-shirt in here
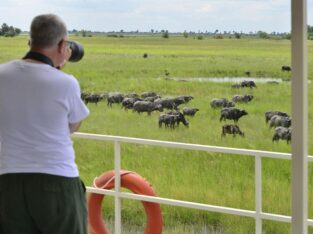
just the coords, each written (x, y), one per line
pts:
(77, 108)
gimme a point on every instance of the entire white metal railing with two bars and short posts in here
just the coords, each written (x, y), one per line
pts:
(257, 214)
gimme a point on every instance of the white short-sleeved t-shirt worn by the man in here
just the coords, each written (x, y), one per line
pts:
(37, 103)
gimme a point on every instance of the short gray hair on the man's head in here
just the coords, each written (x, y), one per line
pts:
(47, 30)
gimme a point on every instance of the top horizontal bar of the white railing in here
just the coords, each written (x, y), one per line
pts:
(219, 149)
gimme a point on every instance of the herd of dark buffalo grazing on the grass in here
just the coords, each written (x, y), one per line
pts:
(173, 116)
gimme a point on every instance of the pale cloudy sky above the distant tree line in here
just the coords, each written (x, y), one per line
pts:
(144, 15)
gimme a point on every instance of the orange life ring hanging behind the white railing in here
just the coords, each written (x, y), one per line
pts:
(136, 184)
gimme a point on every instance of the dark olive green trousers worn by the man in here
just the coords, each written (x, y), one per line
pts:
(35, 203)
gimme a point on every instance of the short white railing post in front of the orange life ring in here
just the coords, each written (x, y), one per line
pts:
(117, 185)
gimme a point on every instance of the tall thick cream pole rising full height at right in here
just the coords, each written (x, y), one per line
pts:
(299, 117)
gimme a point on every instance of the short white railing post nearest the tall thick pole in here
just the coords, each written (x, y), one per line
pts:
(258, 194)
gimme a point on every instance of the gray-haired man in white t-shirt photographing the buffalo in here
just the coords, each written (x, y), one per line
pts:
(40, 189)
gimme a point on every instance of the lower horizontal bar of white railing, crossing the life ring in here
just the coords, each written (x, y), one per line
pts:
(195, 205)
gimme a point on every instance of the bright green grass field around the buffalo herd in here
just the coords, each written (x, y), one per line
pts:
(116, 64)
